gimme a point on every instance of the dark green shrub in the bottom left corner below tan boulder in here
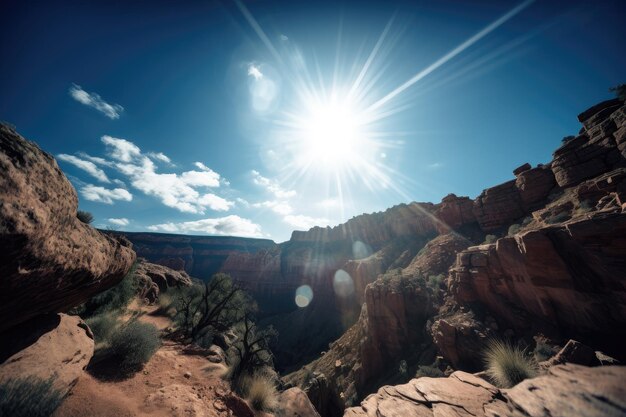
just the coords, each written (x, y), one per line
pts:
(28, 397)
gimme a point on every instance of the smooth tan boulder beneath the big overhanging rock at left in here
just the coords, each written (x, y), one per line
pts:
(54, 346)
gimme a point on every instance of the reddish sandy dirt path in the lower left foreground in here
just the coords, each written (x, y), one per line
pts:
(171, 384)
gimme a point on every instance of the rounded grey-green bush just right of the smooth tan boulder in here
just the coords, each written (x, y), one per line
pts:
(134, 344)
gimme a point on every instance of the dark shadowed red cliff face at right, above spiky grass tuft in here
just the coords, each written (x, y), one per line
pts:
(569, 276)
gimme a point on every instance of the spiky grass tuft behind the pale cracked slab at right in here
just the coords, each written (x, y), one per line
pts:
(508, 365)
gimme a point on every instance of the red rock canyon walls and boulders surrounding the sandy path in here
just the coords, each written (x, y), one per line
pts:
(537, 260)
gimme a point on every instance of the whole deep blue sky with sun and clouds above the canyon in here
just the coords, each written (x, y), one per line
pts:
(259, 118)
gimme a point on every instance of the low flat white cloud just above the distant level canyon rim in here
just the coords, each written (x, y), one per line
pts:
(230, 225)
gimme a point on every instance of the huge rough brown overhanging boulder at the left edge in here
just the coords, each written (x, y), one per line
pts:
(49, 260)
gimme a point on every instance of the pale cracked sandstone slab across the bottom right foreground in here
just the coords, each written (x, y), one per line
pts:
(565, 390)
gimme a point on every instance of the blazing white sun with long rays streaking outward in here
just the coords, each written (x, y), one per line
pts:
(332, 129)
